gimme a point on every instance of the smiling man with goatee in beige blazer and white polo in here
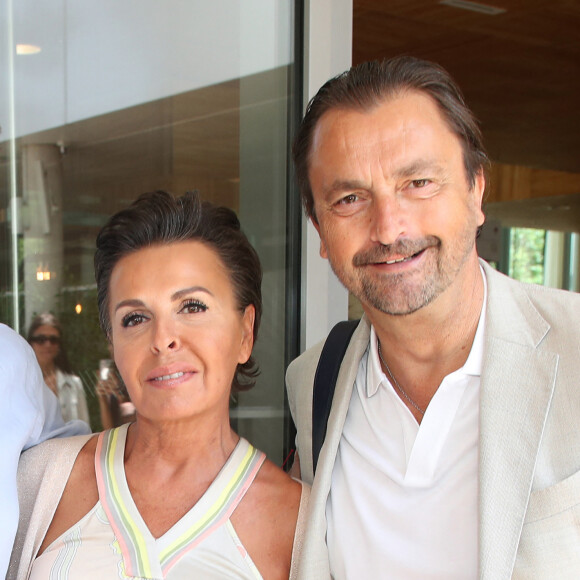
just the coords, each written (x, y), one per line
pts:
(453, 442)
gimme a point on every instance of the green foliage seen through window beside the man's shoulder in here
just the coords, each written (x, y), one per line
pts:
(526, 258)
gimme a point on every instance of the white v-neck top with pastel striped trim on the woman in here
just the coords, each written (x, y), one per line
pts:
(113, 541)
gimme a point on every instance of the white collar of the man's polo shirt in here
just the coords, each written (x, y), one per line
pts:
(472, 366)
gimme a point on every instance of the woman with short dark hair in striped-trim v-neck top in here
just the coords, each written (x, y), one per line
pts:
(177, 494)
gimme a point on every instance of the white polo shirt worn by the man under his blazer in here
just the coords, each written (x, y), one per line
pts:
(404, 497)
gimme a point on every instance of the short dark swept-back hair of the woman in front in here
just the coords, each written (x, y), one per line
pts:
(158, 218)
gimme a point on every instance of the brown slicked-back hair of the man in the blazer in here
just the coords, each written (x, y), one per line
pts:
(369, 84)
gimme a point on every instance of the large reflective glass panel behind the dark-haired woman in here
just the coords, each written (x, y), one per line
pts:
(108, 100)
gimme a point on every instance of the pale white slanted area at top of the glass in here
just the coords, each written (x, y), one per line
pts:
(93, 63)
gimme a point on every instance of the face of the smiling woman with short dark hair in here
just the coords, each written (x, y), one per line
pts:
(177, 332)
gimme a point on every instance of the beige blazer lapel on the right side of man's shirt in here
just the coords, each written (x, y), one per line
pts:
(516, 390)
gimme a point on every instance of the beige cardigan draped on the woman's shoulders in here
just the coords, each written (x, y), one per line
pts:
(43, 472)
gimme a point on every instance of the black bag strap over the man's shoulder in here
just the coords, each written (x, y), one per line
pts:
(325, 380)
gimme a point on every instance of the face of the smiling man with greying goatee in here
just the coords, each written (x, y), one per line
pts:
(396, 217)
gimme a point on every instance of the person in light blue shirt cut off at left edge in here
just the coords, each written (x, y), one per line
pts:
(30, 415)
